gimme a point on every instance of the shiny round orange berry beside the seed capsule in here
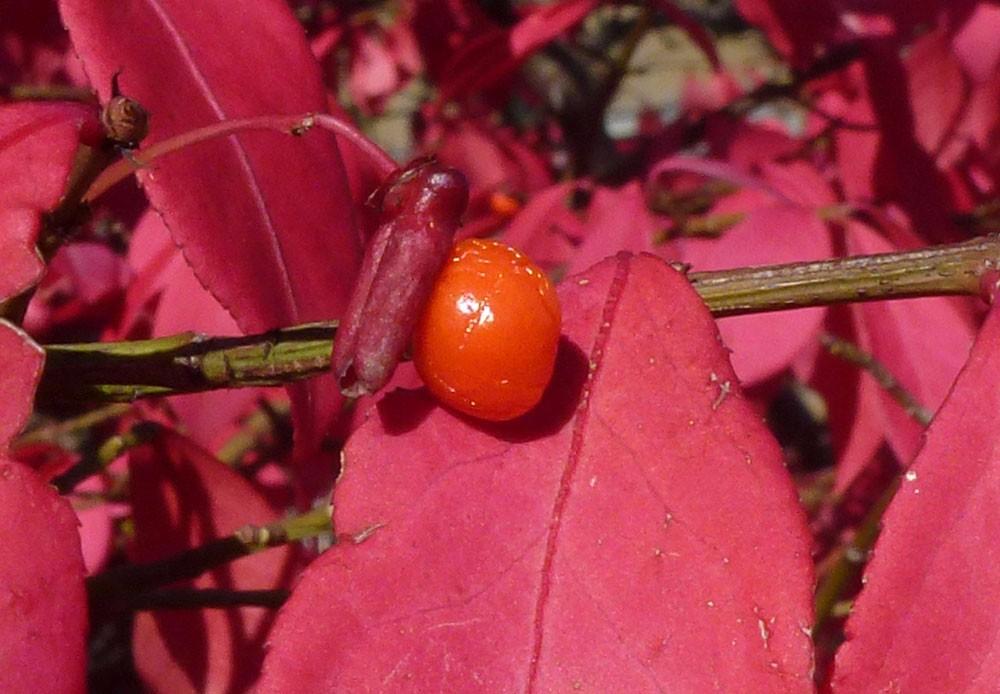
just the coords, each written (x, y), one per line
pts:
(486, 342)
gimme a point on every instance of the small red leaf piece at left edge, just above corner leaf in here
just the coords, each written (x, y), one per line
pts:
(22, 367)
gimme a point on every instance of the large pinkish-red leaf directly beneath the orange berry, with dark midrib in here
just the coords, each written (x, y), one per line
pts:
(624, 537)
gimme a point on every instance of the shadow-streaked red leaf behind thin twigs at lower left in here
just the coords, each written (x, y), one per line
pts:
(182, 497)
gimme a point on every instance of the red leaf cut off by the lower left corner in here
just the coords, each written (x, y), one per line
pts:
(43, 608)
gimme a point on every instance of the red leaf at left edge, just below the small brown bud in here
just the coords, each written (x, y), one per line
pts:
(37, 145)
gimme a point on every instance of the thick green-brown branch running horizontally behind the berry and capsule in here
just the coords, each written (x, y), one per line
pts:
(192, 362)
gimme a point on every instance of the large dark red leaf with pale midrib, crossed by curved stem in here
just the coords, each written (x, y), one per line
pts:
(266, 222)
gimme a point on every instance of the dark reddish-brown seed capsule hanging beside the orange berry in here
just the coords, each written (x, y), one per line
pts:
(420, 209)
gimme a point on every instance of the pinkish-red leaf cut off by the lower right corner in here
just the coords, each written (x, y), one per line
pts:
(927, 618)
